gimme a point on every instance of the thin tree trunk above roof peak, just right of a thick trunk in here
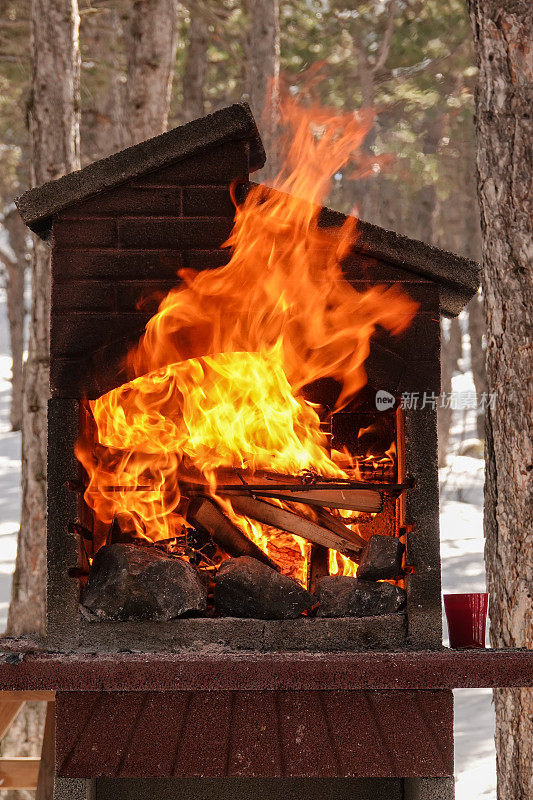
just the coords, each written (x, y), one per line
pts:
(195, 65)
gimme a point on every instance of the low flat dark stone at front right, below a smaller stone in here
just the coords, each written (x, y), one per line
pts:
(342, 596)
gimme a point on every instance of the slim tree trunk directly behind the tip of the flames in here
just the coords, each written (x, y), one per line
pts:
(263, 62)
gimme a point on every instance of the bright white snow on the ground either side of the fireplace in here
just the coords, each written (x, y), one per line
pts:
(461, 550)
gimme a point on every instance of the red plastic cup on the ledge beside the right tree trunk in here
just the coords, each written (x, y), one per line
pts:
(467, 618)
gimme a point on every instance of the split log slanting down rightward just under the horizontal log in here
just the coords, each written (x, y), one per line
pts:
(284, 520)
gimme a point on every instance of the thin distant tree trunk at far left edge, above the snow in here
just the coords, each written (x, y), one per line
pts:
(15, 273)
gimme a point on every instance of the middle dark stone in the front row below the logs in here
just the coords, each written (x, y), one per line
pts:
(244, 587)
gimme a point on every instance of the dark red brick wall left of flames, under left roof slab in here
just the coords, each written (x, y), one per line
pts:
(116, 255)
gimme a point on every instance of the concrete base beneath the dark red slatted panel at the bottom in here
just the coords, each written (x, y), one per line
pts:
(255, 789)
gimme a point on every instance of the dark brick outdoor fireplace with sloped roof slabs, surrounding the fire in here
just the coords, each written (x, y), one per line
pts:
(120, 230)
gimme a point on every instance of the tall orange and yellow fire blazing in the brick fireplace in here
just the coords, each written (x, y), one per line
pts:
(218, 375)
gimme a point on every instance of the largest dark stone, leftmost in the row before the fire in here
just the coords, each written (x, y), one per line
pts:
(131, 582)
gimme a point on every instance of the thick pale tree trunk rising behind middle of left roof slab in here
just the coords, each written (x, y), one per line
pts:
(152, 55)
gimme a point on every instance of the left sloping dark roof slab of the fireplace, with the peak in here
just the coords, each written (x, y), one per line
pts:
(38, 206)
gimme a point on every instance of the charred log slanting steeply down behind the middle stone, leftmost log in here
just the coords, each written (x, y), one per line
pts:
(206, 513)
